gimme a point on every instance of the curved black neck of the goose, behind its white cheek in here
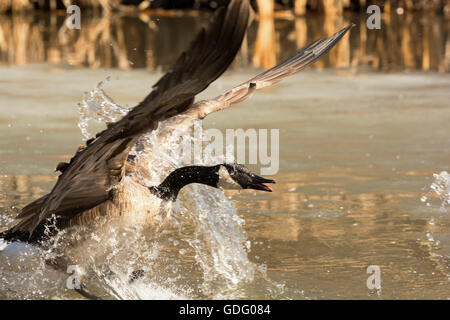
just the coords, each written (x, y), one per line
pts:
(175, 181)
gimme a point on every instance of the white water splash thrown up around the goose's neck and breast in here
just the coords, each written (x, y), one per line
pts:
(203, 227)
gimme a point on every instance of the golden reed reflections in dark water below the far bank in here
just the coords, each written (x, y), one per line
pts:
(404, 41)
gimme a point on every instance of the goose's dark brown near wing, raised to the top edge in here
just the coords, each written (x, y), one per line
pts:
(86, 181)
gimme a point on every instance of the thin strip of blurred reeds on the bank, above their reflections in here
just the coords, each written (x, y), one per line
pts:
(265, 7)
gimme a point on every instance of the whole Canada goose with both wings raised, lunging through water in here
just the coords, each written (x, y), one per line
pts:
(92, 182)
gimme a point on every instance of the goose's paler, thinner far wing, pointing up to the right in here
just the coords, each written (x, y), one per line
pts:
(298, 61)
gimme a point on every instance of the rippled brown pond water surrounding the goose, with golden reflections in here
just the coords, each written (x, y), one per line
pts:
(361, 135)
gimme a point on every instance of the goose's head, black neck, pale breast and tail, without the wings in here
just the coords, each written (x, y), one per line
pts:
(135, 203)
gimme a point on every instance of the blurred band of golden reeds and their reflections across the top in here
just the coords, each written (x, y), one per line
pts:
(147, 34)
